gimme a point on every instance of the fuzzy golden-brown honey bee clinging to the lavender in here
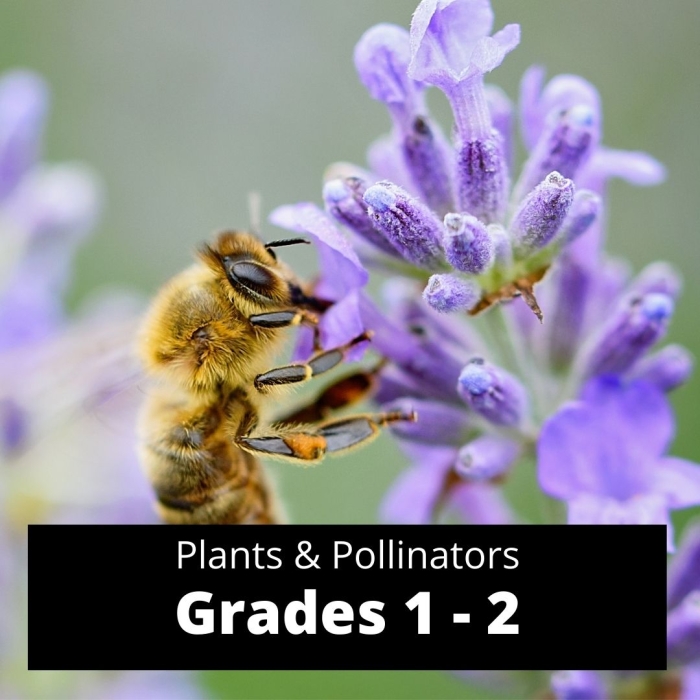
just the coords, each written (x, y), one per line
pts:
(209, 339)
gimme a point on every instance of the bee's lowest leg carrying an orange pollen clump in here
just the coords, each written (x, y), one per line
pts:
(311, 445)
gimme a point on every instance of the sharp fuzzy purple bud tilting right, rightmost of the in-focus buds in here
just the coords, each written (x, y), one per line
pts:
(542, 213)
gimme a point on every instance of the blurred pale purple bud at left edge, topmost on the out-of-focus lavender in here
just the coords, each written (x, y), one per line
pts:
(23, 105)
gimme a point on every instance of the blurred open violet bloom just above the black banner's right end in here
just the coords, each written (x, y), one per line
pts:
(604, 456)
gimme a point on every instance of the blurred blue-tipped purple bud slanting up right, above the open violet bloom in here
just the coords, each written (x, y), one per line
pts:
(629, 334)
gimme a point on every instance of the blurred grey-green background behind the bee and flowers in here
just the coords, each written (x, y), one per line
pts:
(184, 107)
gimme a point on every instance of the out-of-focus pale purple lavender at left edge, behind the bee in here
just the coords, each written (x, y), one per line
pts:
(67, 444)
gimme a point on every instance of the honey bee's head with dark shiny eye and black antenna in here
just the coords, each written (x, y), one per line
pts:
(251, 267)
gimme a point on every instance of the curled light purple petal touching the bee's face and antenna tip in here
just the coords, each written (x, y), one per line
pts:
(341, 270)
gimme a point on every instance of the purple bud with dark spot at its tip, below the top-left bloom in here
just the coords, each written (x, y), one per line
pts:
(427, 156)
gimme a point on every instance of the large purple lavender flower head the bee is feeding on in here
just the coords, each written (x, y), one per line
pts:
(469, 259)
